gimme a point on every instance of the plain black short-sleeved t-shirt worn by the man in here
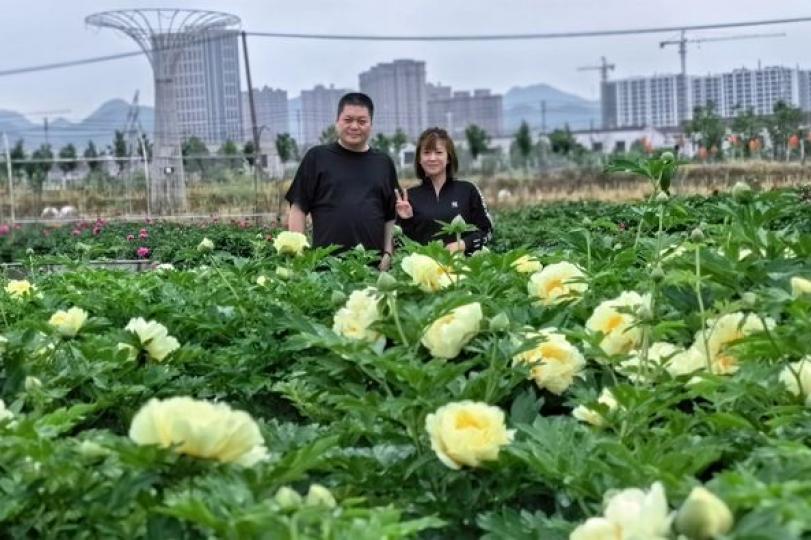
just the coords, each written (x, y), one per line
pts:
(350, 195)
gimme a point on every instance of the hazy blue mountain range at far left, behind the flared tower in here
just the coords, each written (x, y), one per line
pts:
(99, 127)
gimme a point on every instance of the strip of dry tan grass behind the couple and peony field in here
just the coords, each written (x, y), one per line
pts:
(502, 191)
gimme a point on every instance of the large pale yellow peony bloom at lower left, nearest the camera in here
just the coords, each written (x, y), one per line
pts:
(201, 429)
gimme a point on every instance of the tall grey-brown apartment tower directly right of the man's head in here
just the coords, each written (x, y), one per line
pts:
(399, 94)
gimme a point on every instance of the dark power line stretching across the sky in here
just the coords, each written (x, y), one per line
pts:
(434, 38)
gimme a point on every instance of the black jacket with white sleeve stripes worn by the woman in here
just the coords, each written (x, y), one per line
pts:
(457, 197)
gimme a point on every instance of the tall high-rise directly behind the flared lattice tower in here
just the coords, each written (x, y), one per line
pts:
(207, 89)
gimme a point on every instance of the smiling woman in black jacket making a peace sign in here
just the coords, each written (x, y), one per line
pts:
(442, 197)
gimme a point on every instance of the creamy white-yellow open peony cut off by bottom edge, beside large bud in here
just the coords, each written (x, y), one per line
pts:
(630, 514)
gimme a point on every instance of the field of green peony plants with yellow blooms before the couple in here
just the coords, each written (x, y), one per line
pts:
(604, 372)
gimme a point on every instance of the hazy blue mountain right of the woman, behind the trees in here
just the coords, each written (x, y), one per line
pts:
(524, 103)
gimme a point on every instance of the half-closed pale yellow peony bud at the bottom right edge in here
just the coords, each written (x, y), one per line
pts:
(703, 515)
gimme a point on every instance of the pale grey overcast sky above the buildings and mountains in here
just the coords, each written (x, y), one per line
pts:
(44, 31)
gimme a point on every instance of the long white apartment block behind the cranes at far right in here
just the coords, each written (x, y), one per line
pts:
(657, 102)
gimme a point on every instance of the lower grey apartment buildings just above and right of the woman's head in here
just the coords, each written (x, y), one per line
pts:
(455, 111)
